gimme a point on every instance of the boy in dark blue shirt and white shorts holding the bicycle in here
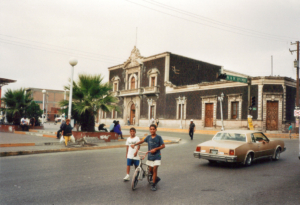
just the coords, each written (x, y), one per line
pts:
(155, 144)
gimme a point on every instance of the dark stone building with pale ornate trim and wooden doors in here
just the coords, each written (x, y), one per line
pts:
(175, 89)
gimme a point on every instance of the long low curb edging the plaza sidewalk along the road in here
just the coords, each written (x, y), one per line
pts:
(5, 154)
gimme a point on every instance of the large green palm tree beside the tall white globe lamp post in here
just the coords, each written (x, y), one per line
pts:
(89, 96)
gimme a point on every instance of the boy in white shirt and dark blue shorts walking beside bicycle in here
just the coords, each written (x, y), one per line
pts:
(131, 153)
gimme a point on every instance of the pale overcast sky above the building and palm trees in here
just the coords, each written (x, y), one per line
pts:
(37, 38)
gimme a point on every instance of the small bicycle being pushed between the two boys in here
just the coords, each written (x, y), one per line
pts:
(140, 172)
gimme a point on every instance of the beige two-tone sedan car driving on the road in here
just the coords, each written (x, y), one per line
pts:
(240, 146)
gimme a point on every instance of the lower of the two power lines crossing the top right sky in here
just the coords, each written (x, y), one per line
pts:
(255, 36)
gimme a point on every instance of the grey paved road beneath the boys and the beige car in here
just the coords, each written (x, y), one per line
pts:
(96, 177)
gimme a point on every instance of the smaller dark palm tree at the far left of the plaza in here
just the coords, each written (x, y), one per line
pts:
(16, 102)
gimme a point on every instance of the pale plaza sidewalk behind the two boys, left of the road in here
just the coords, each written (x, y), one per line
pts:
(24, 143)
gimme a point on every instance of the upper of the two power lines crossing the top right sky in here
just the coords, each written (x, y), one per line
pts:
(211, 20)
